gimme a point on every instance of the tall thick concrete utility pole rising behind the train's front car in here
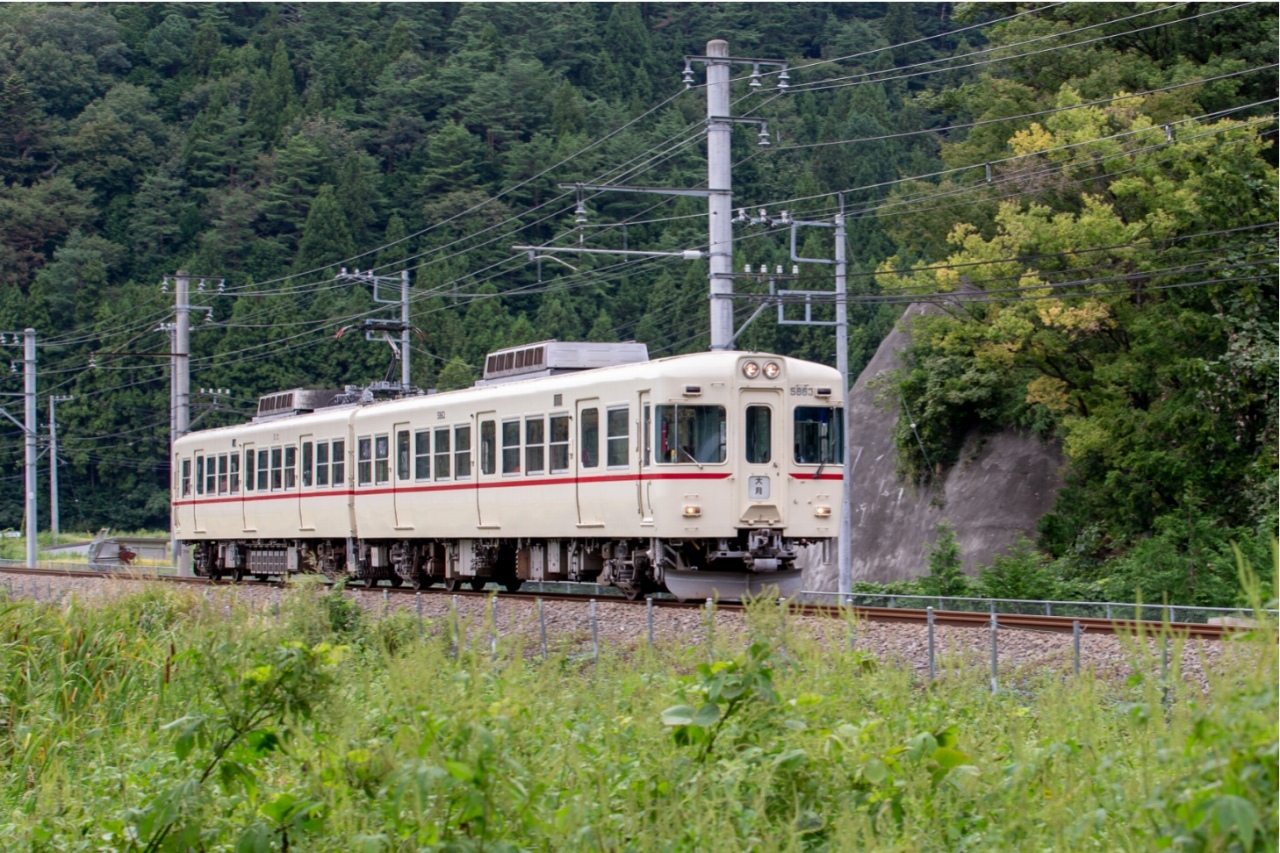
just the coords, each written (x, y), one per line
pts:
(720, 202)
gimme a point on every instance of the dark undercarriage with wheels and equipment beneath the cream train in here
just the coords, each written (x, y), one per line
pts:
(753, 563)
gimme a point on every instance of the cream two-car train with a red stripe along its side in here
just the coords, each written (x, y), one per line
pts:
(702, 476)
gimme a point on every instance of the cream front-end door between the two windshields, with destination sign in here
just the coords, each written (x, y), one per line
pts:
(762, 491)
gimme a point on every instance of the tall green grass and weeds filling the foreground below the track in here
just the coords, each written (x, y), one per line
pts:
(170, 722)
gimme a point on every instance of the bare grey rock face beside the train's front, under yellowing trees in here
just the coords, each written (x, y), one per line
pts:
(999, 490)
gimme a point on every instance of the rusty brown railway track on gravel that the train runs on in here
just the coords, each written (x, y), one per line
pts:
(902, 615)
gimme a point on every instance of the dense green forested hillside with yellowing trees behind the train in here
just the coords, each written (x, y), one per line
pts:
(1098, 180)
